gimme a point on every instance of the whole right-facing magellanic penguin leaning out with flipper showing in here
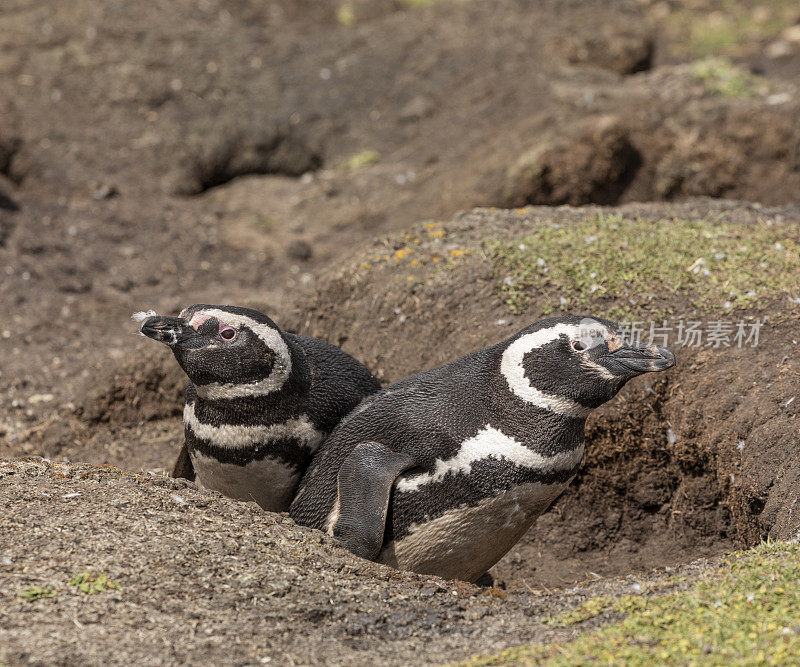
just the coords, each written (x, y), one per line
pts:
(443, 472)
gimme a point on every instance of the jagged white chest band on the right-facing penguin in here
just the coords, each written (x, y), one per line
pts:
(491, 443)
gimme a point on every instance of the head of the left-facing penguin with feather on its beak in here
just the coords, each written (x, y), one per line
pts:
(226, 351)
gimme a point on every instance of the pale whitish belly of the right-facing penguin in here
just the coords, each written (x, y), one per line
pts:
(463, 543)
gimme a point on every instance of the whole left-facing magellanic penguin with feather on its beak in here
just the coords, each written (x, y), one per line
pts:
(259, 401)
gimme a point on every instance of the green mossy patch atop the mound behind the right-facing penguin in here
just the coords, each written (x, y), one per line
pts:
(629, 264)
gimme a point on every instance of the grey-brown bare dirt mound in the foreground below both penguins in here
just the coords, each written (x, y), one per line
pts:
(172, 573)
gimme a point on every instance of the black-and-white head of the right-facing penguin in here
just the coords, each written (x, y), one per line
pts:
(573, 364)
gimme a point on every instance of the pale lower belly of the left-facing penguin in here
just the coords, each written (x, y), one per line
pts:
(268, 482)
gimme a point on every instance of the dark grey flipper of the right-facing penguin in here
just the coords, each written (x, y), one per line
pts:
(365, 487)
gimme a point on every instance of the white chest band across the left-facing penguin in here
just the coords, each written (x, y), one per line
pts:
(241, 437)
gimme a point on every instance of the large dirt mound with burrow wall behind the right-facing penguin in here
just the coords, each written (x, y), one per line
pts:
(676, 467)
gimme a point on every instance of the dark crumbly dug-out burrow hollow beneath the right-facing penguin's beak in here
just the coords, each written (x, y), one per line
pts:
(642, 500)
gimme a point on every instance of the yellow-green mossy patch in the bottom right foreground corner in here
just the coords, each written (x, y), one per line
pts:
(745, 613)
